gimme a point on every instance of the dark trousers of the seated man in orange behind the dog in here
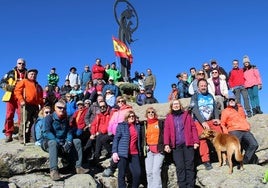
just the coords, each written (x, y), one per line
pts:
(248, 143)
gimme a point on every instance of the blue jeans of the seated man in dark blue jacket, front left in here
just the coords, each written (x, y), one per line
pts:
(54, 150)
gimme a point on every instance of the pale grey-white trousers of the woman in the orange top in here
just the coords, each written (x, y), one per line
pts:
(153, 164)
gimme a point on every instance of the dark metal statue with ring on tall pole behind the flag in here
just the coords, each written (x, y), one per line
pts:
(128, 23)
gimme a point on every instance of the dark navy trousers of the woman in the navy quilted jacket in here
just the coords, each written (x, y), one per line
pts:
(133, 162)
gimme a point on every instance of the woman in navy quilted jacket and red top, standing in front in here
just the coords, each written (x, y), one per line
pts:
(127, 150)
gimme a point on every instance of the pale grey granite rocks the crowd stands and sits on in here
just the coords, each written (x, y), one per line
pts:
(27, 166)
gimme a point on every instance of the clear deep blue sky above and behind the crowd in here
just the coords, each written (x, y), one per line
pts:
(172, 36)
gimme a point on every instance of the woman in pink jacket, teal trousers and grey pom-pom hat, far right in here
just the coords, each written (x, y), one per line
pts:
(253, 84)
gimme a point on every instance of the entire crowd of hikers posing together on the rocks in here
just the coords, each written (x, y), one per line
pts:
(78, 126)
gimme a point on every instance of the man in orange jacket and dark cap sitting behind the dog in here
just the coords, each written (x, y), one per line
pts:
(233, 121)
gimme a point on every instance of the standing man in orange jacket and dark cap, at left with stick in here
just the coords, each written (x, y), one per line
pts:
(30, 97)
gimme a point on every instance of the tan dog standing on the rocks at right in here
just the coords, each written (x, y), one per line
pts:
(225, 143)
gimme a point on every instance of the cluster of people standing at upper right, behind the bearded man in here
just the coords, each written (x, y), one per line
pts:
(244, 81)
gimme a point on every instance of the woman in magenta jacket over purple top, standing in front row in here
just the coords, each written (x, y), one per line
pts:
(180, 135)
